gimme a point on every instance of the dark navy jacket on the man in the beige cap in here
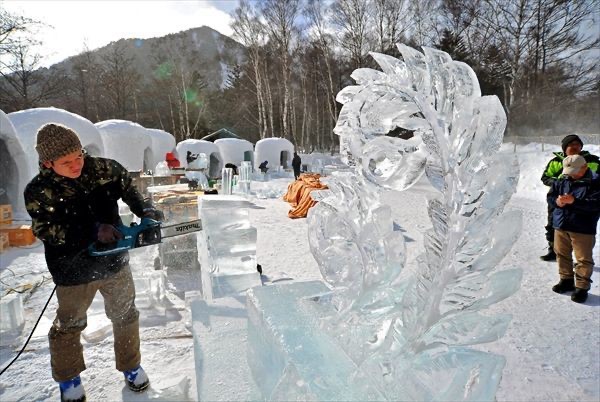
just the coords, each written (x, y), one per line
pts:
(581, 216)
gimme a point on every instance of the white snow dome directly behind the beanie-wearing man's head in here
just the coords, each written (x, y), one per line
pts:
(28, 122)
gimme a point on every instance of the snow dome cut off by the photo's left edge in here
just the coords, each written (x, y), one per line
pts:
(14, 167)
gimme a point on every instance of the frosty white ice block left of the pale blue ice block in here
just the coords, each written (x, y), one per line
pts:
(220, 343)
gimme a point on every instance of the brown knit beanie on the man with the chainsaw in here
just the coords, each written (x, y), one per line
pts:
(54, 141)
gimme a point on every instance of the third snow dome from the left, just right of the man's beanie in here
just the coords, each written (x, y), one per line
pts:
(128, 143)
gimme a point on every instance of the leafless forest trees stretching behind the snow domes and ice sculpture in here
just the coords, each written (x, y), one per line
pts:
(540, 57)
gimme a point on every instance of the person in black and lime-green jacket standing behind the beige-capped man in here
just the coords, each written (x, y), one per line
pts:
(571, 145)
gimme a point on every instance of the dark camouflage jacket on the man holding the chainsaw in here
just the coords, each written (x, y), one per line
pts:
(66, 212)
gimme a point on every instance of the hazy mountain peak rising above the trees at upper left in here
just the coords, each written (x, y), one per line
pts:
(198, 49)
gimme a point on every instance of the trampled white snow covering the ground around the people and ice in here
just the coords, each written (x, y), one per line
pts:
(552, 346)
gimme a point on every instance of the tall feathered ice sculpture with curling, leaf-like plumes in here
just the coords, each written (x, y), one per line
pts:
(410, 338)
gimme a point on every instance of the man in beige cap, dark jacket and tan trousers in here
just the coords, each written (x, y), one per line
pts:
(575, 197)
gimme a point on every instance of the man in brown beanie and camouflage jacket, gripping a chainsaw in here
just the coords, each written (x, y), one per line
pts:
(73, 203)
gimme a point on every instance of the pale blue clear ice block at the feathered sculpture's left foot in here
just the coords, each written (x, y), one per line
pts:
(291, 358)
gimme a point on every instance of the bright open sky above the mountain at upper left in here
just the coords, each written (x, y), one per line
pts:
(97, 23)
